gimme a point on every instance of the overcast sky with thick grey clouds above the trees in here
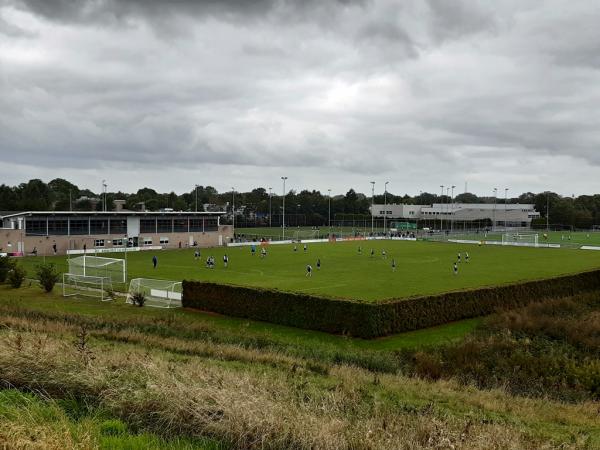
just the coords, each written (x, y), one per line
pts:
(332, 94)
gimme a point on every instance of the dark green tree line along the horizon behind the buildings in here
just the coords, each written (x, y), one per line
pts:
(308, 207)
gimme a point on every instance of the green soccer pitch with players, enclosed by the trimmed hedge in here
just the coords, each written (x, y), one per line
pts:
(421, 267)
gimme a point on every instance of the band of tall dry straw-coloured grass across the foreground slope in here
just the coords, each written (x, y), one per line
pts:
(270, 408)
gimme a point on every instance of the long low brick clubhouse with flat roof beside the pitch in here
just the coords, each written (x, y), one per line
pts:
(55, 232)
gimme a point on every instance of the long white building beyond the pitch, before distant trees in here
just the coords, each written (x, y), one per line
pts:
(464, 215)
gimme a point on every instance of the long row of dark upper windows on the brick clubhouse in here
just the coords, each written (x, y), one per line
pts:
(35, 227)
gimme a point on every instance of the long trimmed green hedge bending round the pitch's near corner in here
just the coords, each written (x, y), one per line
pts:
(369, 320)
